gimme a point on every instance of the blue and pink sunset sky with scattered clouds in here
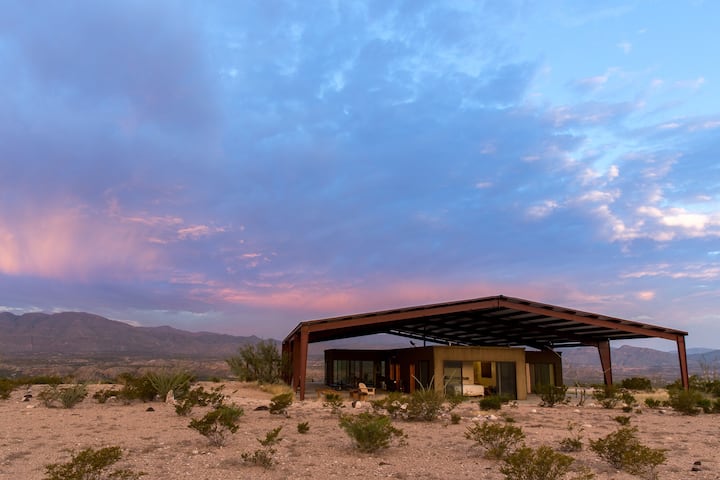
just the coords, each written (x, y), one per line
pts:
(241, 166)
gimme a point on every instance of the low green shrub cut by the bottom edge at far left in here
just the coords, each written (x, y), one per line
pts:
(89, 464)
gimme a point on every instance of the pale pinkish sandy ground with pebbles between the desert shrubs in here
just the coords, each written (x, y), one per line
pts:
(160, 443)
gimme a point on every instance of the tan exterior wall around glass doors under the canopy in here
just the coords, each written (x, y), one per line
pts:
(469, 355)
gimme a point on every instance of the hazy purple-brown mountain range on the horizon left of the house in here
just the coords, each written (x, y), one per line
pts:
(78, 333)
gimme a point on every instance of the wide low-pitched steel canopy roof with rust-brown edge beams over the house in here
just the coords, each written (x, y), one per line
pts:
(488, 321)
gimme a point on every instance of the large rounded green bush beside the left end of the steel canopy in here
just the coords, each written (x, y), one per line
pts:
(260, 362)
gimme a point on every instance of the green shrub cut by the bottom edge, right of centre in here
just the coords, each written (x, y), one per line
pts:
(544, 463)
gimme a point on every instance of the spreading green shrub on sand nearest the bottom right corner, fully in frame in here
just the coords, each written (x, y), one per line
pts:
(623, 450)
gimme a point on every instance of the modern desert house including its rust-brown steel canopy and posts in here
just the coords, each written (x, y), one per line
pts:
(494, 344)
